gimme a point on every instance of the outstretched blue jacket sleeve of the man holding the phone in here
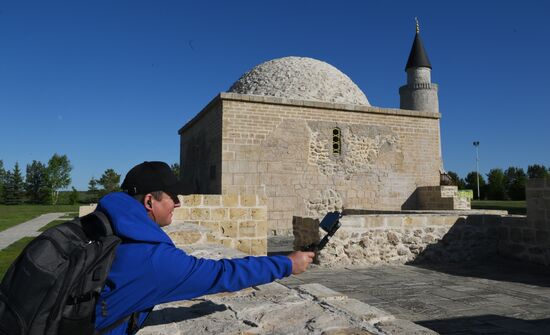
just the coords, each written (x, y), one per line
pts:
(180, 276)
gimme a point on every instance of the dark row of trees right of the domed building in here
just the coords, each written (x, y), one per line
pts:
(501, 184)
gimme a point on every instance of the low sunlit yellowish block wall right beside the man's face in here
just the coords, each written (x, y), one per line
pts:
(235, 221)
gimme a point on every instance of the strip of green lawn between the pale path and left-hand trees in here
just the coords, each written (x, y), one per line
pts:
(14, 215)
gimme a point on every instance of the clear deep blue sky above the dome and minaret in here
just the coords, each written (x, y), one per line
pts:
(109, 83)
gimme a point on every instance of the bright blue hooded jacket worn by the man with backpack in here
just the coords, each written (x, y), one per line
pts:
(149, 270)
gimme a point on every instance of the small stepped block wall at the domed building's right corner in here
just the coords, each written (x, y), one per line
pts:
(441, 198)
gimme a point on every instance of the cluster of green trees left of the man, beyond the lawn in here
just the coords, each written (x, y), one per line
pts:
(42, 182)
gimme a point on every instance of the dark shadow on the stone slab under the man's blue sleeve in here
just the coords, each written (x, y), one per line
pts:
(179, 314)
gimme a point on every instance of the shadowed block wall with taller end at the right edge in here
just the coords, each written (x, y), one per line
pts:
(529, 239)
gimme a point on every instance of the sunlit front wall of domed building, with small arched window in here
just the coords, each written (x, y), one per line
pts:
(282, 148)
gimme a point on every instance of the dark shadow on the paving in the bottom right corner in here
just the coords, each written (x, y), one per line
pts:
(488, 324)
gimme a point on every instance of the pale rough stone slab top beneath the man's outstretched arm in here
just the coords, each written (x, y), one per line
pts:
(274, 309)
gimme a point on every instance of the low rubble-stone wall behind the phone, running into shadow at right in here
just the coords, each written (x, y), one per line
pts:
(436, 236)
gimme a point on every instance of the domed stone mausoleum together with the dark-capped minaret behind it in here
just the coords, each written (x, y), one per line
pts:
(303, 137)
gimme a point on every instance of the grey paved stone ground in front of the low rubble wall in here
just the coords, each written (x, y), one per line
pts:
(494, 297)
